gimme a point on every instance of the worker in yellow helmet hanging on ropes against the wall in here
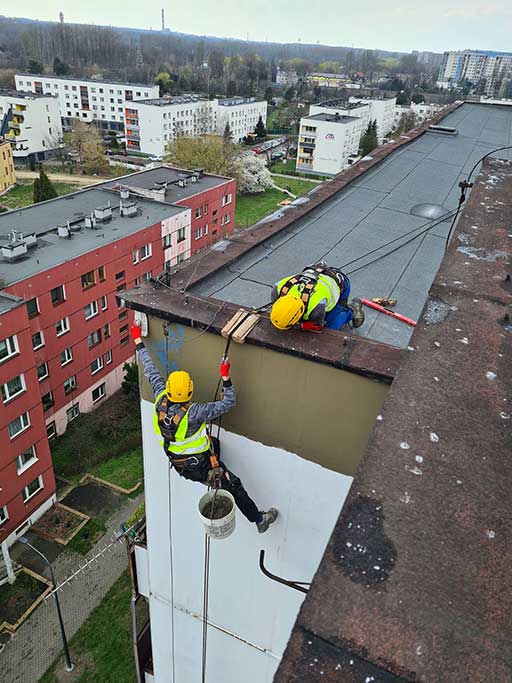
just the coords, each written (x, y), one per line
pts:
(183, 426)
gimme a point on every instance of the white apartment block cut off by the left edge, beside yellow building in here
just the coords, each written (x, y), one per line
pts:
(31, 123)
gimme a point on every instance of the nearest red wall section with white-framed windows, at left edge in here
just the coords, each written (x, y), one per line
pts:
(13, 480)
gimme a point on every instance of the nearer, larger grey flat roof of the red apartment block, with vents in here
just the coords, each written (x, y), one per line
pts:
(43, 220)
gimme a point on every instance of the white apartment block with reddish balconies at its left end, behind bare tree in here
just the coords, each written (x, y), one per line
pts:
(154, 123)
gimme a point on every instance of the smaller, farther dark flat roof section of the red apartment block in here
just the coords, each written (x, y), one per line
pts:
(167, 174)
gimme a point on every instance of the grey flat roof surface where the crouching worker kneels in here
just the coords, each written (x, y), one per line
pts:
(369, 213)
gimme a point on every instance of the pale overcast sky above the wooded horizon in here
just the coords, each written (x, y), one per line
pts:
(397, 25)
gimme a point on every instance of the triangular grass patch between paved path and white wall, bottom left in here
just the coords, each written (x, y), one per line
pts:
(104, 640)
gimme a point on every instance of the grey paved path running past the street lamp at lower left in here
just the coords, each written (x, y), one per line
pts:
(37, 642)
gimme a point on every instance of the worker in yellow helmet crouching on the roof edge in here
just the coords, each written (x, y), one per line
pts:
(314, 299)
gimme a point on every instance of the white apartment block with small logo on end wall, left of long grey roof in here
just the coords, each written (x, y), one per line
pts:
(326, 141)
